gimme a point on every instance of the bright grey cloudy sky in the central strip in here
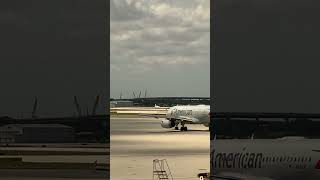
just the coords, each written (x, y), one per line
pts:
(162, 46)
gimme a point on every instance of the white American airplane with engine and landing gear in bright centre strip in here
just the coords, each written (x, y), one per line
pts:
(190, 114)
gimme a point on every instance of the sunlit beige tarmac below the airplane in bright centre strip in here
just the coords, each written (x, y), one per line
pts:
(136, 142)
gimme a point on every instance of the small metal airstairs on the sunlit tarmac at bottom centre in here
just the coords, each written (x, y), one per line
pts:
(161, 170)
